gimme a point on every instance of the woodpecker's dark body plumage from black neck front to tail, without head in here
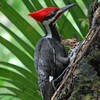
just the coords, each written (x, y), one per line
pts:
(50, 60)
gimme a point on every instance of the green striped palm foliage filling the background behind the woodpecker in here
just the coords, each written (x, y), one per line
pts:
(24, 80)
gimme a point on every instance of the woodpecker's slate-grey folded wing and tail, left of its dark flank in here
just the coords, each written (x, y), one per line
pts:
(43, 58)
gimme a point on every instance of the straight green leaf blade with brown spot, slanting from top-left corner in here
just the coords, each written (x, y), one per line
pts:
(19, 22)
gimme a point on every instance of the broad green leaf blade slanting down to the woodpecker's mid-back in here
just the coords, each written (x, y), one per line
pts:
(26, 60)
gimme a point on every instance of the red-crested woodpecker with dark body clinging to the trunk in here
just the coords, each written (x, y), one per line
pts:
(50, 57)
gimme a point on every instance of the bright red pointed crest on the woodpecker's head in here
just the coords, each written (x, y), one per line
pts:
(41, 14)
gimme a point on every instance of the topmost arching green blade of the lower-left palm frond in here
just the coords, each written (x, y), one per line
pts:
(22, 83)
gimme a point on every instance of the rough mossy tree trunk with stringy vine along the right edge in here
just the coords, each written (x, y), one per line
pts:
(82, 78)
